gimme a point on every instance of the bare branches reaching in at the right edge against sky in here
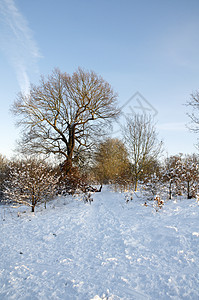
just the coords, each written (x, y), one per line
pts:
(194, 114)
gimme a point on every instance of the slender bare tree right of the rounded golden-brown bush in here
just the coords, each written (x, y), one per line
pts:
(142, 144)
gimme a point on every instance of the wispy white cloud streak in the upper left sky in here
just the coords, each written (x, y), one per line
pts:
(17, 42)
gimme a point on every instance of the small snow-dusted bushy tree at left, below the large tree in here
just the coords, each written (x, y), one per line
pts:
(30, 182)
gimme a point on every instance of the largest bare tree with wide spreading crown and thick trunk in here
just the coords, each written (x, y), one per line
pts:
(63, 112)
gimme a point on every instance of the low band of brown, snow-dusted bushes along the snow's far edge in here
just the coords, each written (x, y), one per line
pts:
(33, 181)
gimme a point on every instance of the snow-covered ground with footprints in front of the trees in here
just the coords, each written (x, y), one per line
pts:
(107, 250)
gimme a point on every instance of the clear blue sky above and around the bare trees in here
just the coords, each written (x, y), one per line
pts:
(150, 47)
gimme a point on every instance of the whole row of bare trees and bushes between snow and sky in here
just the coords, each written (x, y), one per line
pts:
(69, 117)
